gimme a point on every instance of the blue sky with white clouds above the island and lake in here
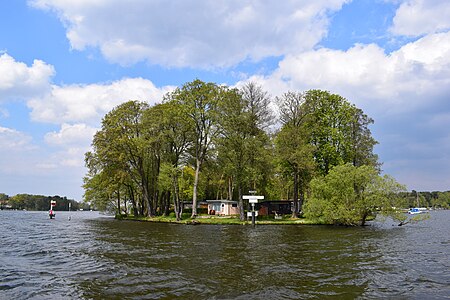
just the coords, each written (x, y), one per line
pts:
(65, 63)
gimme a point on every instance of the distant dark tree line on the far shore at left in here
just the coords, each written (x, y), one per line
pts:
(38, 202)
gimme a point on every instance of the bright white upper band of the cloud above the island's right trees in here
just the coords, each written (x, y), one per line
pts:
(365, 74)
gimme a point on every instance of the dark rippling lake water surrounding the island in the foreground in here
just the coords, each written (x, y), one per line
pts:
(96, 257)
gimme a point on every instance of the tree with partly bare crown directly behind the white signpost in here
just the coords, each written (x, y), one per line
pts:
(241, 141)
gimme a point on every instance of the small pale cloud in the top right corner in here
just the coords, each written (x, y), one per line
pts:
(418, 17)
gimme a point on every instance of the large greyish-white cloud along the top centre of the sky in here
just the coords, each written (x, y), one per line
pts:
(193, 33)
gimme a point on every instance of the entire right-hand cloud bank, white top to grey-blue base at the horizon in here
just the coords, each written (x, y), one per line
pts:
(405, 91)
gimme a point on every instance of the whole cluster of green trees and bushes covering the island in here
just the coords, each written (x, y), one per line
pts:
(209, 141)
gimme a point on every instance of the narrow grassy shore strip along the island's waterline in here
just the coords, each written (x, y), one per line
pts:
(216, 220)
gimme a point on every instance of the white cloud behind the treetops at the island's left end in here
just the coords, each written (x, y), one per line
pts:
(79, 109)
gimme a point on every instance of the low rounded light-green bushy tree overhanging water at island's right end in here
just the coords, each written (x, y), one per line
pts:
(349, 194)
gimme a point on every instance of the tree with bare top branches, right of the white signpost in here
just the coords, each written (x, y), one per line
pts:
(294, 152)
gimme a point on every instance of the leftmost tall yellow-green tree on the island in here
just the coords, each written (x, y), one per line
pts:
(121, 156)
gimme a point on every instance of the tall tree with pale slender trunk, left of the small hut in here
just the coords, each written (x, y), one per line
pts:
(199, 102)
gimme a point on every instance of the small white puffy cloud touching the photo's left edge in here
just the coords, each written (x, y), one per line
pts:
(18, 81)
